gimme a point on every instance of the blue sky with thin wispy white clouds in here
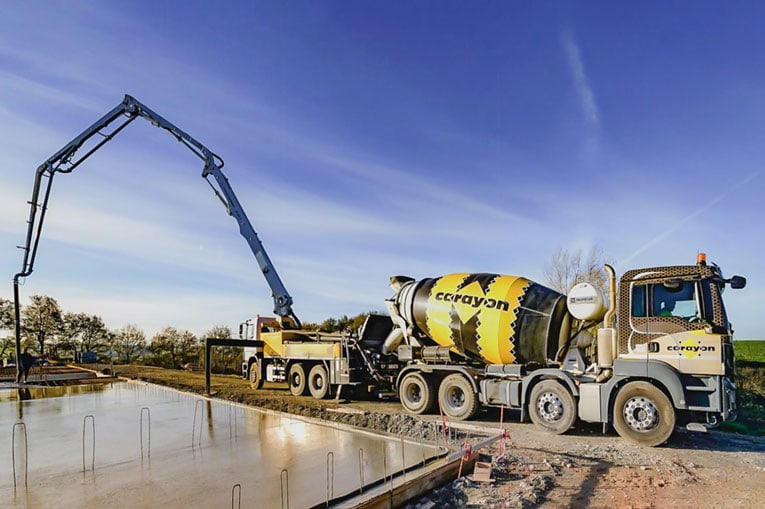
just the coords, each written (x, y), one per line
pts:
(367, 139)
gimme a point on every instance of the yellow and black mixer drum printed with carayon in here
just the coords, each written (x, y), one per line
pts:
(490, 318)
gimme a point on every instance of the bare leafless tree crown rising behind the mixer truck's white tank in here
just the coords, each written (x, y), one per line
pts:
(566, 269)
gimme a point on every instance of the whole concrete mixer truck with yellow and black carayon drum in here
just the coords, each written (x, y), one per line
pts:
(656, 354)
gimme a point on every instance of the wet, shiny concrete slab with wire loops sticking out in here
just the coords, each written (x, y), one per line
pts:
(156, 447)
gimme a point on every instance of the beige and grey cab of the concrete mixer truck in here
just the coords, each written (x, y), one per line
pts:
(672, 323)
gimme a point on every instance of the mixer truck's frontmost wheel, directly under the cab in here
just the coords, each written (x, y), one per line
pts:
(643, 414)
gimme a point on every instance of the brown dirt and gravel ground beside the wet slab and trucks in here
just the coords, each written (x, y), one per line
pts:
(583, 468)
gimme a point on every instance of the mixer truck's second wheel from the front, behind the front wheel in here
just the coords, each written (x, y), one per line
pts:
(552, 407)
